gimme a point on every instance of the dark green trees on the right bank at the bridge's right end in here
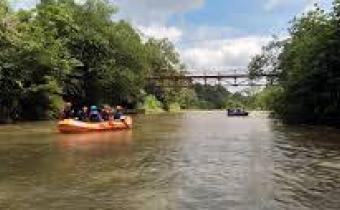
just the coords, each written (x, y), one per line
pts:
(308, 68)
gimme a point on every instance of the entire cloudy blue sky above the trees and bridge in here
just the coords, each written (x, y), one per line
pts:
(211, 35)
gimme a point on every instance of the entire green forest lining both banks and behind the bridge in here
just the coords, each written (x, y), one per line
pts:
(65, 51)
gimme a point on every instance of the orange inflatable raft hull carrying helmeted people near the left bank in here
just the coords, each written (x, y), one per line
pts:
(75, 126)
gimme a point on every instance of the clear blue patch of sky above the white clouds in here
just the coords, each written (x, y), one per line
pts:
(246, 15)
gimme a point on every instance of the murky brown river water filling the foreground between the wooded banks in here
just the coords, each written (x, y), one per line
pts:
(193, 160)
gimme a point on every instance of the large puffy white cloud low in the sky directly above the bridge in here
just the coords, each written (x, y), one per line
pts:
(233, 53)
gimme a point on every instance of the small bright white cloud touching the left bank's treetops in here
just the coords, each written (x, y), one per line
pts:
(174, 34)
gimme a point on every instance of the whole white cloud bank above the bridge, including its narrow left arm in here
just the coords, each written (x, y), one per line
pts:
(210, 47)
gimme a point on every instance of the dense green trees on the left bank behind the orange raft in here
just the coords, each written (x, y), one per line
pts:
(64, 51)
